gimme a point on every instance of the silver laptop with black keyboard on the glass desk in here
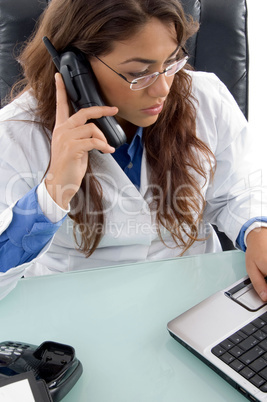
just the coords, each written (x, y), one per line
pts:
(228, 331)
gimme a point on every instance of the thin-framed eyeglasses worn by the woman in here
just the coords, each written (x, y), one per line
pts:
(147, 80)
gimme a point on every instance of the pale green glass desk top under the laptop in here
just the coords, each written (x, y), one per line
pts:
(116, 319)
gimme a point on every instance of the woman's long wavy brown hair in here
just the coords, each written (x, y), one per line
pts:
(173, 149)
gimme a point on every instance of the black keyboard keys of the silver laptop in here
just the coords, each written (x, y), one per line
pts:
(246, 352)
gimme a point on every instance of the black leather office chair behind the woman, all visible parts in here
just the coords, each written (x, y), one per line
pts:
(220, 46)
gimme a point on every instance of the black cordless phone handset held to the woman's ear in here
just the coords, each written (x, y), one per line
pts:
(81, 86)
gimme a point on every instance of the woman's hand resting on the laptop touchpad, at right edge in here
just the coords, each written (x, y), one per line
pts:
(256, 260)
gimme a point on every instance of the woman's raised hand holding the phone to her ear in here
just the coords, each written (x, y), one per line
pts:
(71, 141)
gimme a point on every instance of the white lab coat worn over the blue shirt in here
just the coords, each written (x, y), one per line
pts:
(231, 198)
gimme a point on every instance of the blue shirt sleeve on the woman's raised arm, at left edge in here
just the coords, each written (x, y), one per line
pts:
(27, 234)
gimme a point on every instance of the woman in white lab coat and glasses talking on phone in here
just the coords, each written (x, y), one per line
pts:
(67, 206)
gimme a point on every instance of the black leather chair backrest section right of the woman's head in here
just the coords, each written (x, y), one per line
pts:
(221, 44)
